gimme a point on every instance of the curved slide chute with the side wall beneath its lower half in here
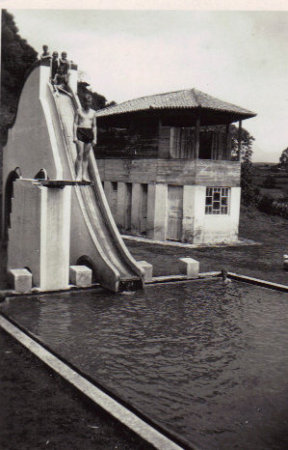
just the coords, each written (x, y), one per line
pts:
(113, 265)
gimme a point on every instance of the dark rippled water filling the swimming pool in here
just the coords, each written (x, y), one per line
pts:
(207, 360)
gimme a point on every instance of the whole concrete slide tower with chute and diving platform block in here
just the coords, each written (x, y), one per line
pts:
(47, 229)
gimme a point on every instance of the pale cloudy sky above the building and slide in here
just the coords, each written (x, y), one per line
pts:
(237, 56)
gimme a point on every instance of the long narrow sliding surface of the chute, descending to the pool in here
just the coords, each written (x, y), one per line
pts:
(95, 208)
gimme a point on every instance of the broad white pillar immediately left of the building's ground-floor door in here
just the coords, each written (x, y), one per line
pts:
(157, 211)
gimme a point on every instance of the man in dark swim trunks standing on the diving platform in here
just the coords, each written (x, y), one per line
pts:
(84, 136)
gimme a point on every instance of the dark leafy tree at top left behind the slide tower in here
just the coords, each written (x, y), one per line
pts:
(17, 58)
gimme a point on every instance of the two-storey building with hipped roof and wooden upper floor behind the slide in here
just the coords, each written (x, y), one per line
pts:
(167, 167)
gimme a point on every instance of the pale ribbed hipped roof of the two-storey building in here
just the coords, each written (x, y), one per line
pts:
(186, 99)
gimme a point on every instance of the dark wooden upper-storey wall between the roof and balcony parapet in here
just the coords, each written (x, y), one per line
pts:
(151, 140)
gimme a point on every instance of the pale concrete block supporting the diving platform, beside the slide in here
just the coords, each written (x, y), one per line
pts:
(39, 238)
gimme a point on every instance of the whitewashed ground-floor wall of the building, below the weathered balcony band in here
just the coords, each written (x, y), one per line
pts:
(197, 226)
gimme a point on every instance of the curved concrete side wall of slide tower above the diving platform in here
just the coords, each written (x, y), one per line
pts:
(31, 143)
